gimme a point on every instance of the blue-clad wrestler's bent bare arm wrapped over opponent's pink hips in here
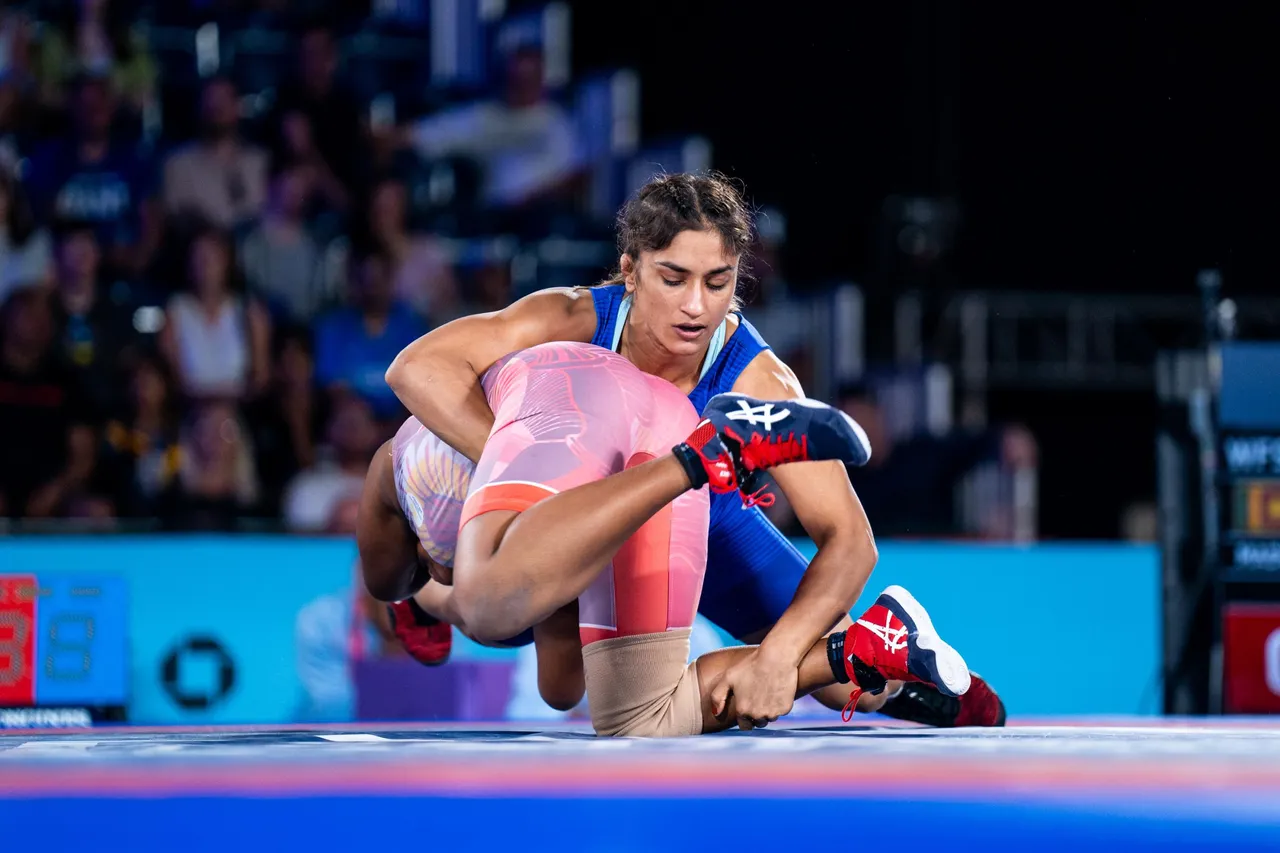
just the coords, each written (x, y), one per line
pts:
(438, 376)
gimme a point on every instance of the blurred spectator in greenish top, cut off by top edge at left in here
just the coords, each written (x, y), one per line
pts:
(97, 38)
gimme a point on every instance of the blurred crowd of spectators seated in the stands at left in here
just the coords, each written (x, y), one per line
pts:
(196, 322)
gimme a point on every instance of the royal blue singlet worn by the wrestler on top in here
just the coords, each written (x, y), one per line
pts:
(753, 572)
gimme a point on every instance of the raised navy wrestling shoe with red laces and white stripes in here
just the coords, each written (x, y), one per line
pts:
(740, 436)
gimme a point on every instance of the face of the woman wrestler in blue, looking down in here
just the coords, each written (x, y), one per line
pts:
(683, 293)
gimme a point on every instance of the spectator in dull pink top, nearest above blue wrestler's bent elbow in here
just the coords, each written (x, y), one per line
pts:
(422, 273)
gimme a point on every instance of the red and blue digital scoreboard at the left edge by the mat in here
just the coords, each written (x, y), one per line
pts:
(63, 650)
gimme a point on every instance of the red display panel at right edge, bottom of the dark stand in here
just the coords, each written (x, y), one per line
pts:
(1251, 646)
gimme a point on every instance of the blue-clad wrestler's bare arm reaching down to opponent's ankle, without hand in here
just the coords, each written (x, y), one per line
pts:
(833, 516)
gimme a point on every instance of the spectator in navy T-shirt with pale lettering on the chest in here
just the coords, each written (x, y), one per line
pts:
(90, 177)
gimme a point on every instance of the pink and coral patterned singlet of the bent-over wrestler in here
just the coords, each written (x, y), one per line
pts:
(569, 414)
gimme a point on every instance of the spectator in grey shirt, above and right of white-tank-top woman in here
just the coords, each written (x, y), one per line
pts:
(285, 264)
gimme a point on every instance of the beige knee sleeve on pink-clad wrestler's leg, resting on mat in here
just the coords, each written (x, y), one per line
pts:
(643, 687)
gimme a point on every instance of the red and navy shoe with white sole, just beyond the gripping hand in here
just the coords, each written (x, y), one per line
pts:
(895, 641)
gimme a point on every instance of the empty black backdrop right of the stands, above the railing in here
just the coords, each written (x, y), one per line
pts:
(1089, 149)
